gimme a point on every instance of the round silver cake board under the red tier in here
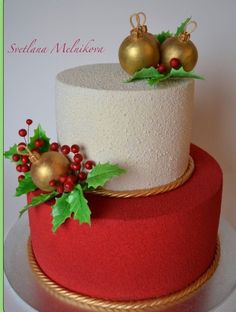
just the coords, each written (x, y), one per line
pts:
(23, 281)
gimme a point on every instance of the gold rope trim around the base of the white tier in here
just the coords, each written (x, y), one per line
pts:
(151, 191)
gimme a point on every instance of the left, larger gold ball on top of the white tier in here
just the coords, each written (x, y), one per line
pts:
(138, 52)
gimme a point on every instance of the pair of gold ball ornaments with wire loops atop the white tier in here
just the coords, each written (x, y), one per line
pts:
(141, 49)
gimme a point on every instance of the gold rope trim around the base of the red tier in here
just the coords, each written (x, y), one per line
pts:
(93, 304)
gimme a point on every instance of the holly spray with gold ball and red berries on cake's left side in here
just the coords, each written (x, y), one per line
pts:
(67, 186)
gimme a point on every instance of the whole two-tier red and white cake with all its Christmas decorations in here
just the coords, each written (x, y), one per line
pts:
(147, 200)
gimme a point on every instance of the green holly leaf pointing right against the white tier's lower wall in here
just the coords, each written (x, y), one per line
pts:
(102, 173)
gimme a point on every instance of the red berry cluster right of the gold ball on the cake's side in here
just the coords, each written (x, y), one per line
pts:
(78, 166)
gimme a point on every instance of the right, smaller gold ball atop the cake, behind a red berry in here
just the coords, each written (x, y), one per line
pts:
(185, 51)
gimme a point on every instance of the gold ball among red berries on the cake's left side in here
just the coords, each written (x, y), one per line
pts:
(49, 166)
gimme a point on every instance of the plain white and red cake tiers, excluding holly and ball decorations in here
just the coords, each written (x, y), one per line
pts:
(154, 229)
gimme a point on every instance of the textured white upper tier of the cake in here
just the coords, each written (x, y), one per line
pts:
(146, 130)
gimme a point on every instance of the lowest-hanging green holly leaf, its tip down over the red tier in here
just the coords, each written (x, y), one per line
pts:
(60, 211)
